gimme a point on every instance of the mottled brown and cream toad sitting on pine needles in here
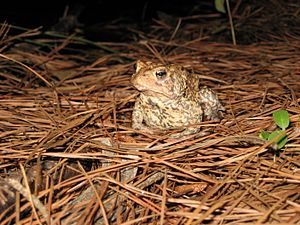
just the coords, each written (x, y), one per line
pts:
(171, 97)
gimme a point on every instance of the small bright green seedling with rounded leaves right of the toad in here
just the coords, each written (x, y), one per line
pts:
(282, 120)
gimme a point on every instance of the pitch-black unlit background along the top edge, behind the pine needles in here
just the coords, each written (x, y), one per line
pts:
(46, 13)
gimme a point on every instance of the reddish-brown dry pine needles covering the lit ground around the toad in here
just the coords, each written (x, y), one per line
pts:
(77, 118)
